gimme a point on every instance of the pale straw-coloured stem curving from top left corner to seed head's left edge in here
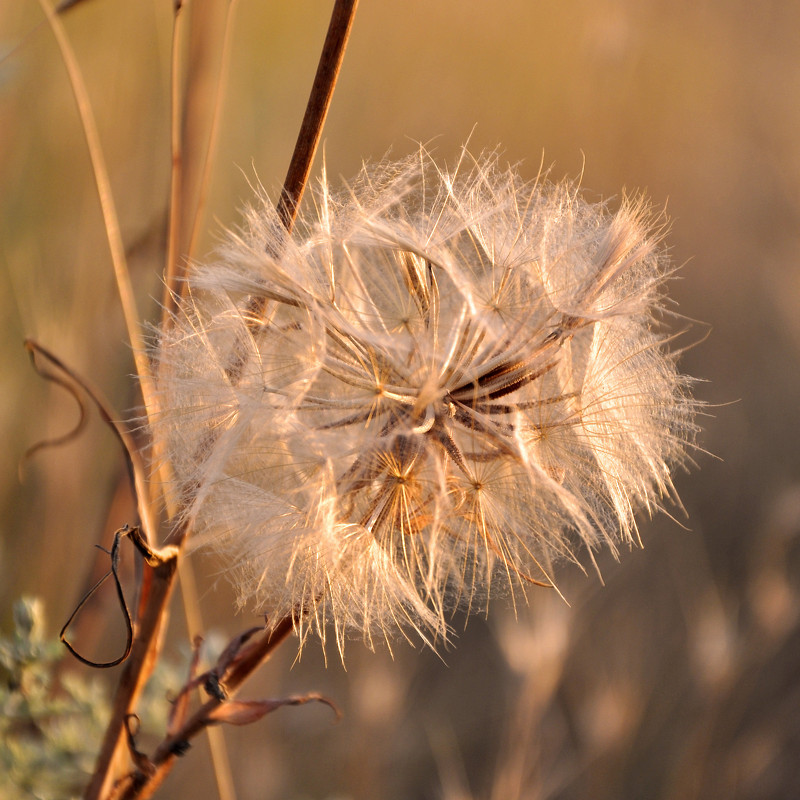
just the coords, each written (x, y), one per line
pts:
(110, 218)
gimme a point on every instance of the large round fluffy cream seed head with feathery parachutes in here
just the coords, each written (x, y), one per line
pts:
(441, 383)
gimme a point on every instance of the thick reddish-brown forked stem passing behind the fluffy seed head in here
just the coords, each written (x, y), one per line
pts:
(161, 566)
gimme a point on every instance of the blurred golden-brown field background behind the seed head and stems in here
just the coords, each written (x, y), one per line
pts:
(678, 678)
